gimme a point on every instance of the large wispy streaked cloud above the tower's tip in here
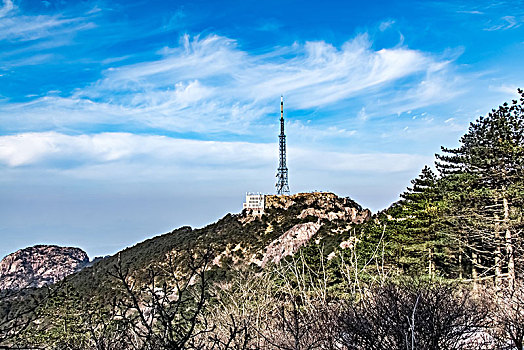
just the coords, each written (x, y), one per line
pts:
(210, 85)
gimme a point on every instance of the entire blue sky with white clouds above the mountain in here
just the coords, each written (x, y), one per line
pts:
(121, 120)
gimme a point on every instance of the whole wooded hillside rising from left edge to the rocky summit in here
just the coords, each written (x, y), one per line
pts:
(235, 243)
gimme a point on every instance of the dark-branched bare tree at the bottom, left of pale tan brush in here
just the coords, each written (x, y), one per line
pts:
(166, 312)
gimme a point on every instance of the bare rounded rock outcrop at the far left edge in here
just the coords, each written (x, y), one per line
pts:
(37, 266)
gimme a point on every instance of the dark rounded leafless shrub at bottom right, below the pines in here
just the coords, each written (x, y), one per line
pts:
(413, 316)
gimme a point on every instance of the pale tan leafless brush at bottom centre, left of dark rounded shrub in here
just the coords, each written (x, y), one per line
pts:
(287, 307)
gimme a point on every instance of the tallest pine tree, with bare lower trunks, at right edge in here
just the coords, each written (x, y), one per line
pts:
(483, 184)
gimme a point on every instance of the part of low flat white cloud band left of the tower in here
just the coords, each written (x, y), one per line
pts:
(56, 149)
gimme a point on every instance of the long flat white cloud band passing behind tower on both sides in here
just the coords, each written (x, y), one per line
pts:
(56, 150)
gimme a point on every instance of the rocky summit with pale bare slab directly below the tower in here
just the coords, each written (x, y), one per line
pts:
(288, 224)
